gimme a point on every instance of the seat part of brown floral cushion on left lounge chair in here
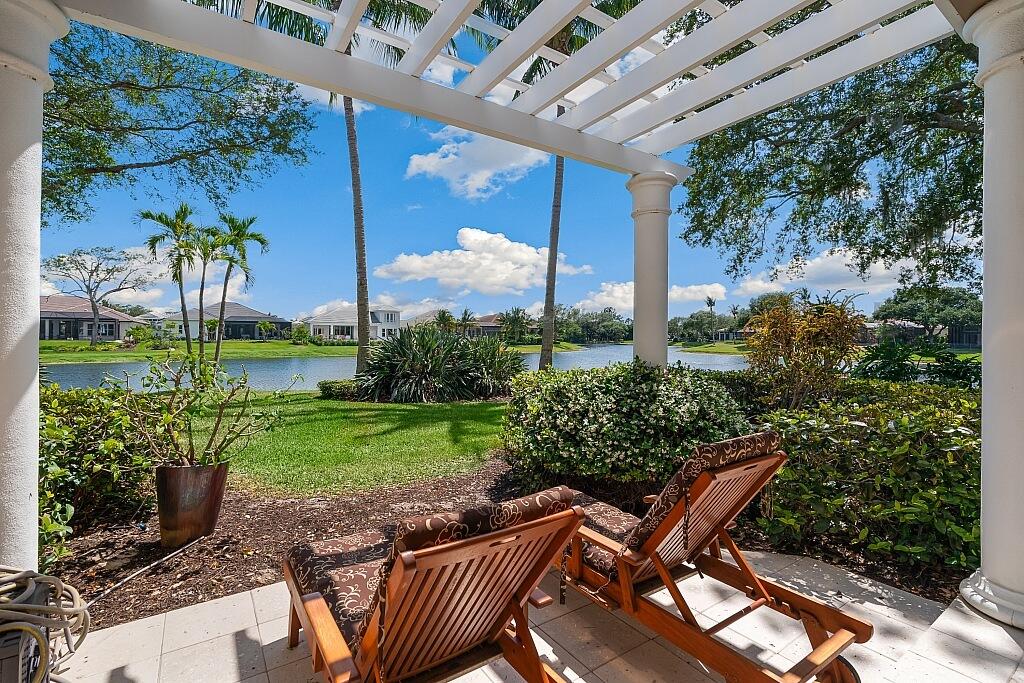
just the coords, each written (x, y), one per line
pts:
(348, 573)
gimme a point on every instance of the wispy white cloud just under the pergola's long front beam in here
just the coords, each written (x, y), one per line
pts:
(475, 167)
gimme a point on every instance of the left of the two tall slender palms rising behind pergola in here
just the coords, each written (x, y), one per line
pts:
(396, 17)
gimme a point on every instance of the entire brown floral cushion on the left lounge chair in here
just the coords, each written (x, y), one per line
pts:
(352, 573)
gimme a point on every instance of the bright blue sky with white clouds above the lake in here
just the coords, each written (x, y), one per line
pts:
(453, 220)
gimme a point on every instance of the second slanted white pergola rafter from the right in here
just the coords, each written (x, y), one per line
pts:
(828, 28)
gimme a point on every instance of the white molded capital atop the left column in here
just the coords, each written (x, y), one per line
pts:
(27, 29)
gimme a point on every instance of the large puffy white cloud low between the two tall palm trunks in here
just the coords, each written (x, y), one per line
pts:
(487, 263)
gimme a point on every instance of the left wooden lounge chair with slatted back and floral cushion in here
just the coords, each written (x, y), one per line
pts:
(436, 597)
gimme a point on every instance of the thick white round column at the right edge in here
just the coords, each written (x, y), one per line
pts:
(998, 588)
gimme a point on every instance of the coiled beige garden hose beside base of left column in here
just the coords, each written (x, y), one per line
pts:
(64, 617)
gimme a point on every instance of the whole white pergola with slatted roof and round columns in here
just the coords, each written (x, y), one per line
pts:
(623, 124)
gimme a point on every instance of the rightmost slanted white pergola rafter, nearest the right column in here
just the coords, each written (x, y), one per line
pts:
(911, 33)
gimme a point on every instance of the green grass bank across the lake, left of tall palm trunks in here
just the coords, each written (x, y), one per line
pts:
(54, 352)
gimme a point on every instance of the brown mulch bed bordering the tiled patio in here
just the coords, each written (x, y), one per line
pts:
(255, 531)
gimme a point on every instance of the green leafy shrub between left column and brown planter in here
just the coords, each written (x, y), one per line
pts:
(94, 466)
